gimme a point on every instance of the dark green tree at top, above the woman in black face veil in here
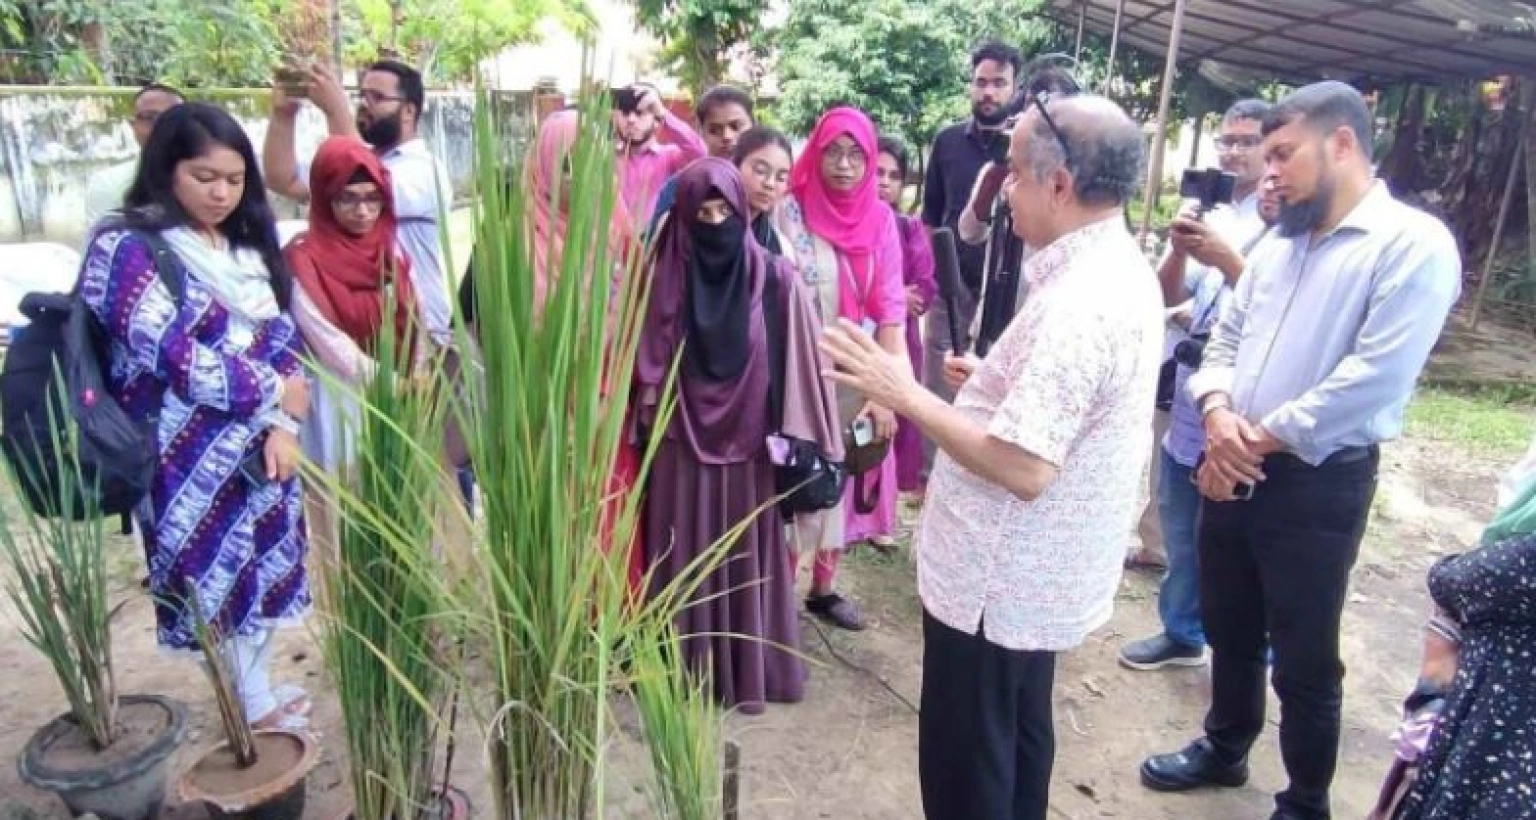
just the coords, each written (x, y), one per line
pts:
(700, 38)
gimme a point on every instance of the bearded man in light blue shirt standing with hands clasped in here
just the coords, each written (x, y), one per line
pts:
(1313, 366)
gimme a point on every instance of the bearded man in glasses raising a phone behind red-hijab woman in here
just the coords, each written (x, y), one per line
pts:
(388, 116)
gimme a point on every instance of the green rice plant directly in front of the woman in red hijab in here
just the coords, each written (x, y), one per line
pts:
(383, 598)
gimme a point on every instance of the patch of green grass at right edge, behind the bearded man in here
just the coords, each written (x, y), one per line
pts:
(1486, 422)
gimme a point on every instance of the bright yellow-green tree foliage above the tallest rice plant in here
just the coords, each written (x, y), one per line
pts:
(449, 39)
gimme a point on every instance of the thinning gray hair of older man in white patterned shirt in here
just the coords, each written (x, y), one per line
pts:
(1105, 150)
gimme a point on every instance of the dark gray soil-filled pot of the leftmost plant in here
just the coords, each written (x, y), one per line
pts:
(122, 782)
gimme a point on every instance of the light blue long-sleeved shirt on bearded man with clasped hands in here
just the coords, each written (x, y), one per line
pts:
(1323, 340)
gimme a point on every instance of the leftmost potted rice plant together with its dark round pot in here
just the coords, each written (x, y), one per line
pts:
(110, 753)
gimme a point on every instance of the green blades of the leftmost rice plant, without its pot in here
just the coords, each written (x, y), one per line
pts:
(59, 584)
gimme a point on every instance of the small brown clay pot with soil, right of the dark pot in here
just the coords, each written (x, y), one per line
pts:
(271, 790)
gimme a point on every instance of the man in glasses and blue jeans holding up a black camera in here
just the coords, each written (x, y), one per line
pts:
(1203, 289)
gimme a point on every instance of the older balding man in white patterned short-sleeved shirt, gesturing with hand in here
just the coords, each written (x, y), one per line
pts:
(1019, 551)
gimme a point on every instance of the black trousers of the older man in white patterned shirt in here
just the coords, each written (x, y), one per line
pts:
(985, 739)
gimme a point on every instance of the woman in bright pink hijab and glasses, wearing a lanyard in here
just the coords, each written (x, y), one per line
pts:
(844, 243)
